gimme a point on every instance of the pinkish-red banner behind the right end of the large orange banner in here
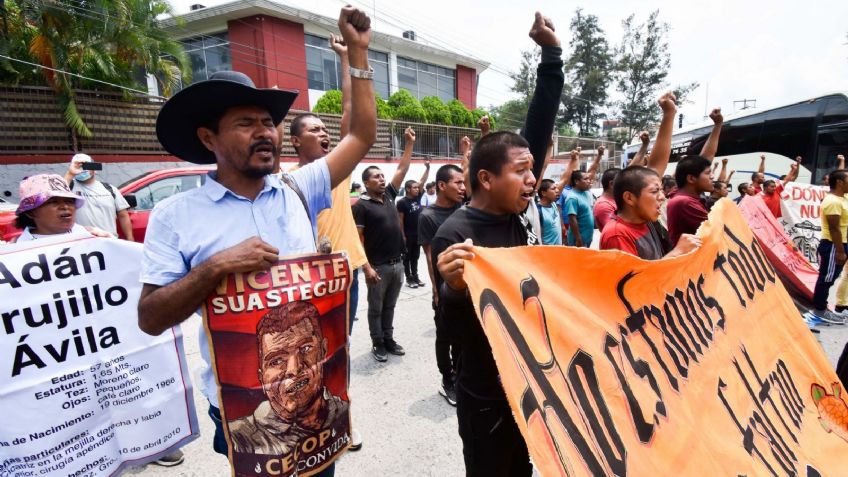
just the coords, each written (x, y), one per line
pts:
(795, 271)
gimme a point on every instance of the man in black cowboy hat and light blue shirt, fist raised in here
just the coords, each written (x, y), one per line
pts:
(242, 218)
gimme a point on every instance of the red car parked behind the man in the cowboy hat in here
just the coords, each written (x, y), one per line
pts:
(142, 193)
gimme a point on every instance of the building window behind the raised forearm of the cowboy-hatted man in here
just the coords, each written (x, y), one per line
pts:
(323, 68)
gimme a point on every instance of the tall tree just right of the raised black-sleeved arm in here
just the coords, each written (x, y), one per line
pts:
(589, 72)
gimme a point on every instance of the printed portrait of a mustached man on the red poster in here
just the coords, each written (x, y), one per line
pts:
(292, 351)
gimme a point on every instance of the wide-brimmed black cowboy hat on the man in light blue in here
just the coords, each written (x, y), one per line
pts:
(183, 113)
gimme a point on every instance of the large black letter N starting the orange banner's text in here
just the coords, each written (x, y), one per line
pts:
(538, 374)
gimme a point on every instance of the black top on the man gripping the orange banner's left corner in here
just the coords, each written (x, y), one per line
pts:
(478, 374)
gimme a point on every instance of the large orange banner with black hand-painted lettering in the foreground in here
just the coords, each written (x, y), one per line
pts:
(693, 366)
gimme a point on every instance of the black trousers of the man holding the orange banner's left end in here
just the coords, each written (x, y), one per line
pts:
(492, 445)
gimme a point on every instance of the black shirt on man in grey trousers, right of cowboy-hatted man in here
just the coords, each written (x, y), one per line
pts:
(383, 241)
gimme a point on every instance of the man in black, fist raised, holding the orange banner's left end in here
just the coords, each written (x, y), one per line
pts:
(502, 172)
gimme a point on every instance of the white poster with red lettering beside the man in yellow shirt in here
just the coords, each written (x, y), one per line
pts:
(801, 207)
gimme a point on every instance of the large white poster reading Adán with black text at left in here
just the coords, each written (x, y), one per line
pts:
(84, 391)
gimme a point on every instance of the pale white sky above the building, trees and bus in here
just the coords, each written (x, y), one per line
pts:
(774, 52)
